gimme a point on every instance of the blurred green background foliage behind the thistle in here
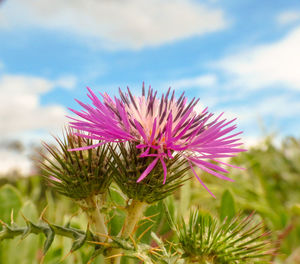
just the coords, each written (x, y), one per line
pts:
(269, 185)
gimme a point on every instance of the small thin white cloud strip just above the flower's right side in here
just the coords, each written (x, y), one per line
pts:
(198, 81)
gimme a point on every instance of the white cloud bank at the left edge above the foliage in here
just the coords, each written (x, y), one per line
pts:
(24, 118)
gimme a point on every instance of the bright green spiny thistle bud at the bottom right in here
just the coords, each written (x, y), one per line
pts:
(203, 239)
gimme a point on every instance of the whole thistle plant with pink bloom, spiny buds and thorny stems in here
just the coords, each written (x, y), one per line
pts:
(143, 148)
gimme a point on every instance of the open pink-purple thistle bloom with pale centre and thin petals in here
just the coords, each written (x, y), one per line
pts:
(160, 127)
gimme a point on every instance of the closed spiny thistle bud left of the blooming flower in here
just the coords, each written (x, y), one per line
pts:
(80, 174)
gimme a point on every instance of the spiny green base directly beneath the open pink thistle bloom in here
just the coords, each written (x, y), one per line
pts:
(128, 167)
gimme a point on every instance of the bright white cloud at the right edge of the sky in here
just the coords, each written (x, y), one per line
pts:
(264, 65)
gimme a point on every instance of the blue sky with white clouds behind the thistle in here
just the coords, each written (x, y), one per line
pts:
(238, 57)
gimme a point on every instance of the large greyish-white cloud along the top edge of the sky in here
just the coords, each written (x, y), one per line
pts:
(130, 24)
